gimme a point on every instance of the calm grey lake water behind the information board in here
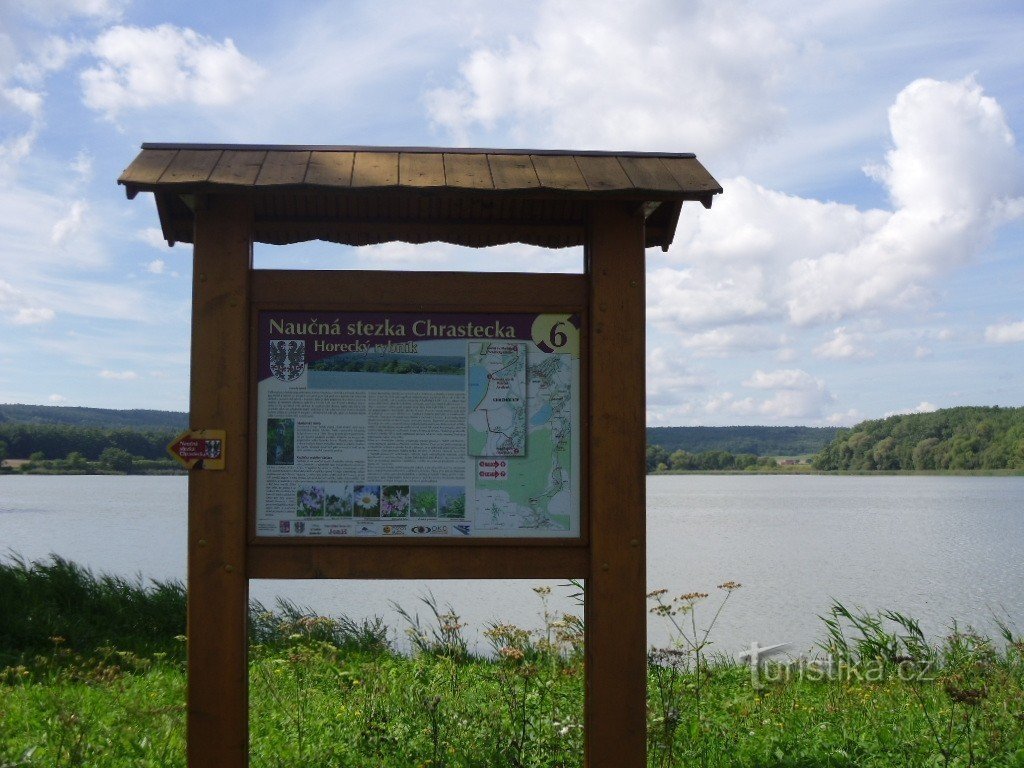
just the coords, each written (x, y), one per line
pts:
(935, 547)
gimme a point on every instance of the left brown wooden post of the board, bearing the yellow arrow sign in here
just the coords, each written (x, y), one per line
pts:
(219, 586)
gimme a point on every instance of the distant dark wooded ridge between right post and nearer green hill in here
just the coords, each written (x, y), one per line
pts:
(757, 441)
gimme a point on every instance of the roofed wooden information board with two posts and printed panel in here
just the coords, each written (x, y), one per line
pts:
(349, 400)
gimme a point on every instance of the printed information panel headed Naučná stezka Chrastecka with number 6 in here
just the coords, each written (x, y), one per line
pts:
(404, 424)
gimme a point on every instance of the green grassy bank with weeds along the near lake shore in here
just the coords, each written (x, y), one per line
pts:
(93, 675)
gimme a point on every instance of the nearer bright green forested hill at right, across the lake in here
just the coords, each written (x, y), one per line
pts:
(951, 439)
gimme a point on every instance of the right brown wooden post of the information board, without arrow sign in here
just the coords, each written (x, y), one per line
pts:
(616, 610)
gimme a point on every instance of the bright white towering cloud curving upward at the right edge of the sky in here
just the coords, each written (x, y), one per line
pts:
(953, 168)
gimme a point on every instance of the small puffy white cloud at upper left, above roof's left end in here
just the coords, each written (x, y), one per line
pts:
(164, 66)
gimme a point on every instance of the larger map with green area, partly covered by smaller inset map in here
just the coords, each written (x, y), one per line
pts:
(534, 491)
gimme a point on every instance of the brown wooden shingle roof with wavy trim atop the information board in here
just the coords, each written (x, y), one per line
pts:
(365, 195)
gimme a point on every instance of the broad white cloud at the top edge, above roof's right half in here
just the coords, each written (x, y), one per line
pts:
(646, 74)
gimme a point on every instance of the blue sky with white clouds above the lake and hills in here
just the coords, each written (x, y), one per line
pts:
(866, 259)
